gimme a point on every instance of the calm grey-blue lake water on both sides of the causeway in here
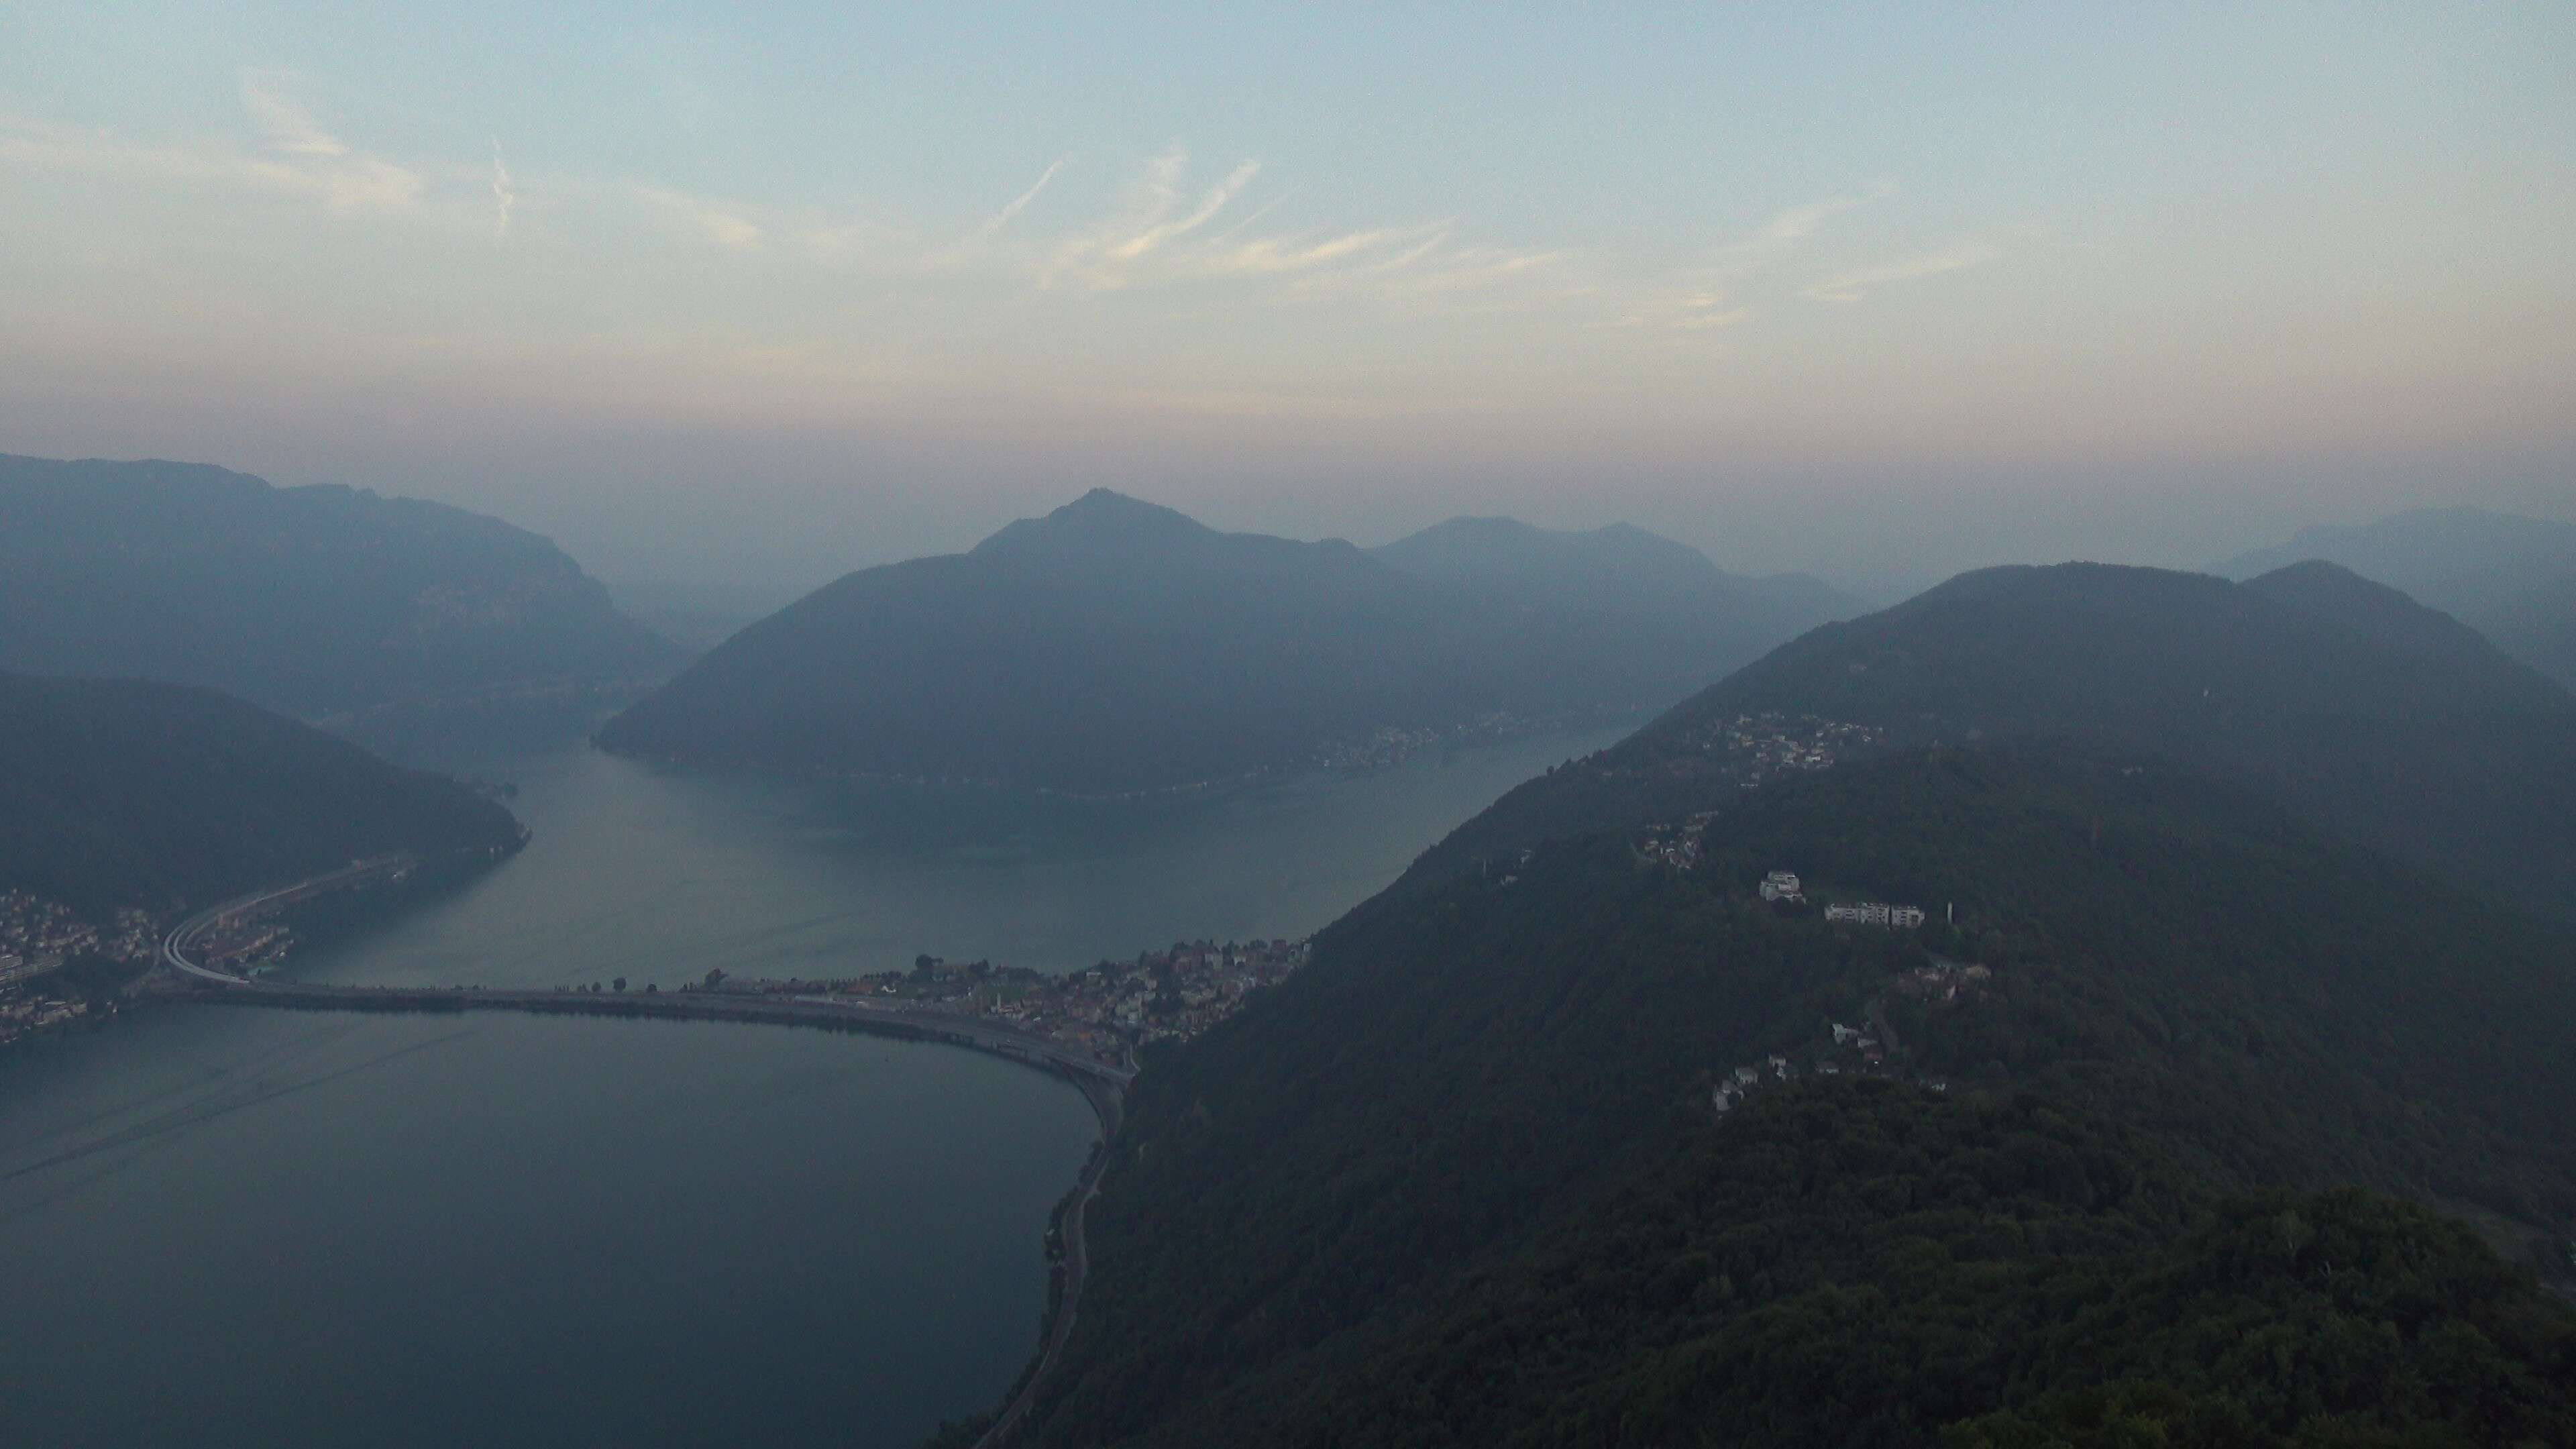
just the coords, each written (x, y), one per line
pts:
(300, 1229)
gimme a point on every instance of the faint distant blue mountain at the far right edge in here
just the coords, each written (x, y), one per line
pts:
(2508, 576)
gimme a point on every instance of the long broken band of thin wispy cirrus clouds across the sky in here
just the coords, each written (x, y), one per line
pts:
(1158, 228)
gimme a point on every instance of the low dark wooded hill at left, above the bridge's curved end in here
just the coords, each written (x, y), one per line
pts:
(128, 793)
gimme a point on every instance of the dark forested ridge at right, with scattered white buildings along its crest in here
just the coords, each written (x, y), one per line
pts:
(1459, 1182)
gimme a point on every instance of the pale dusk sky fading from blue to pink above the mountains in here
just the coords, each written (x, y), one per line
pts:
(1877, 293)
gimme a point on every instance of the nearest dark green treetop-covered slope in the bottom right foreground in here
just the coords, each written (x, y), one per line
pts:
(1866, 1265)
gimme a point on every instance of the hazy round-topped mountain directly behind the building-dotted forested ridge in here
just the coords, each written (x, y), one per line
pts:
(2379, 715)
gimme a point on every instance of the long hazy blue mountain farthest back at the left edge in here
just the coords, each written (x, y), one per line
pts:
(305, 599)
